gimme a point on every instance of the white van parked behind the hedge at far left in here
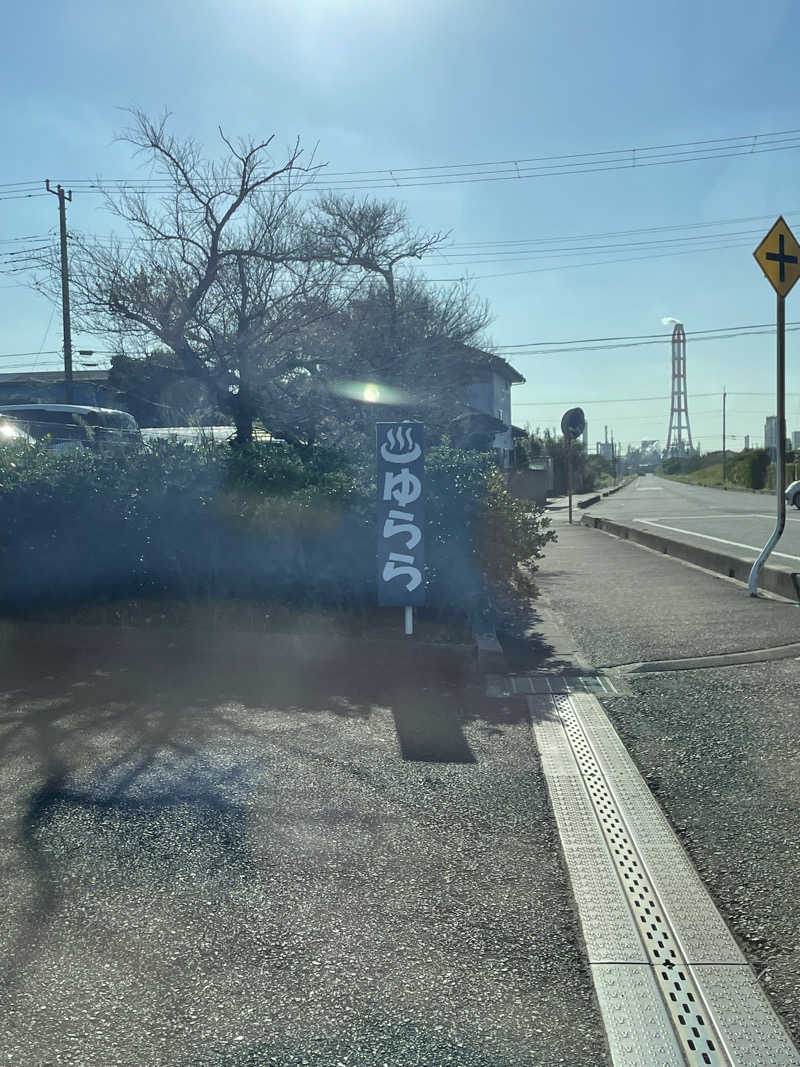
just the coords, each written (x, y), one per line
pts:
(67, 427)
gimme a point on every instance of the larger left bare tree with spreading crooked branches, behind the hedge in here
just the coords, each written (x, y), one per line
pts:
(218, 267)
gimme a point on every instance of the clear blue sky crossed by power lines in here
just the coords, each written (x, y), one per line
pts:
(406, 84)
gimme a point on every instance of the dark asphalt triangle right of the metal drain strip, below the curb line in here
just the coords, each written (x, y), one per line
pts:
(721, 750)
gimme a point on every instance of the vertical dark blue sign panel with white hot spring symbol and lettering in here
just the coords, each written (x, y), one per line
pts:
(401, 514)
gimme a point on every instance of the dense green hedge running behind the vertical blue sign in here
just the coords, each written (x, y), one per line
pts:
(258, 523)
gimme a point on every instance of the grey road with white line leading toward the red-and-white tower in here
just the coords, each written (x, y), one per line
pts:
(725, 520)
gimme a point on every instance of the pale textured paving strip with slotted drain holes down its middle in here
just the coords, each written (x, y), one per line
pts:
(673, 984)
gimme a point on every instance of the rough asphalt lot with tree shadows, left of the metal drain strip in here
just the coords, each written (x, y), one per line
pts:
(229, 863)
